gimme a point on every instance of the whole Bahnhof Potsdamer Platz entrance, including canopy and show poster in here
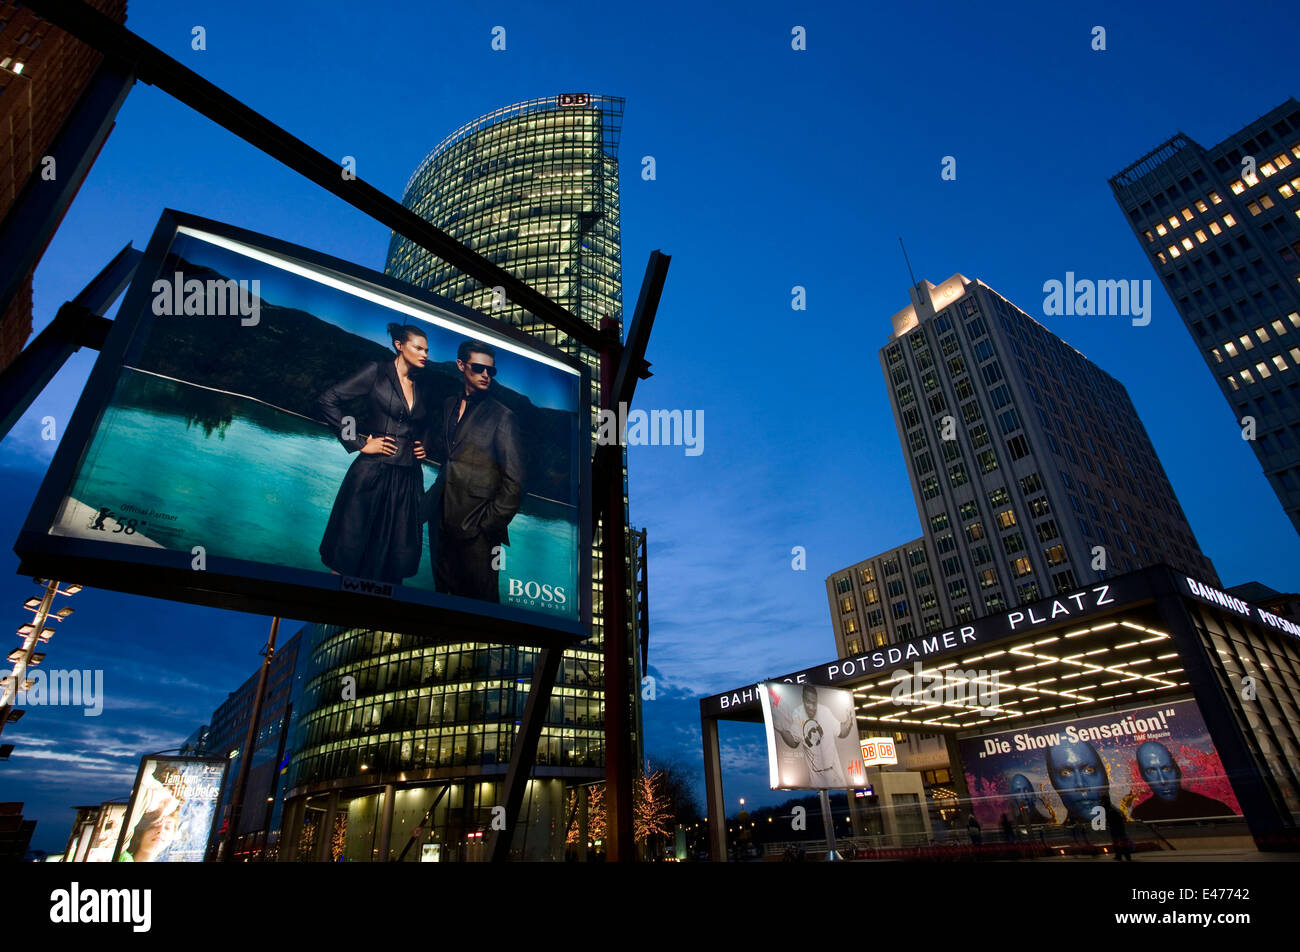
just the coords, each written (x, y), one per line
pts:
(1152, 693)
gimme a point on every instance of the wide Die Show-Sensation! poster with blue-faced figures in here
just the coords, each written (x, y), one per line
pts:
(1152, 764)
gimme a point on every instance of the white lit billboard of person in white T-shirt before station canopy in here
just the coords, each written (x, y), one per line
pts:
(812, 738)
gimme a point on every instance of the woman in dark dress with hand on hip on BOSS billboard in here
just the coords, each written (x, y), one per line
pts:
(375, 529)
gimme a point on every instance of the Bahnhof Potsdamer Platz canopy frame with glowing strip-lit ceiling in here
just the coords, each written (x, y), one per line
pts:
(1137, 641)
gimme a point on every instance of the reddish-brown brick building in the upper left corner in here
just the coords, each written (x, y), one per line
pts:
(44, 72)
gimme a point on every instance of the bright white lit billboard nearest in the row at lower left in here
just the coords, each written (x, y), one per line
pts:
(172, 811)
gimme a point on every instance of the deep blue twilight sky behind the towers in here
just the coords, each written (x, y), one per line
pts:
(774, 168)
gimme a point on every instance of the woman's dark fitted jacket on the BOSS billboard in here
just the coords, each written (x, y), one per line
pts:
(385, 412)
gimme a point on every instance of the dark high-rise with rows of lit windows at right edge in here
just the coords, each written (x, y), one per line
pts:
(1221, 227)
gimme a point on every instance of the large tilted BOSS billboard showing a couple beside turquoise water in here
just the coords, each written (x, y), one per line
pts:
(278, 431)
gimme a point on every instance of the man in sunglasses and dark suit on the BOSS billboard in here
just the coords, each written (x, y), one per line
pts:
(480, 483)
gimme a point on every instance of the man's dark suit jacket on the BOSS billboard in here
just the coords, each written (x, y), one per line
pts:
(482, 481)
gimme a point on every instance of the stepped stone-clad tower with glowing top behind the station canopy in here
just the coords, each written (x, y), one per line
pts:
(1032, 474)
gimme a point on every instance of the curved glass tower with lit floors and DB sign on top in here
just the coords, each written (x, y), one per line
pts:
(424, 742)
